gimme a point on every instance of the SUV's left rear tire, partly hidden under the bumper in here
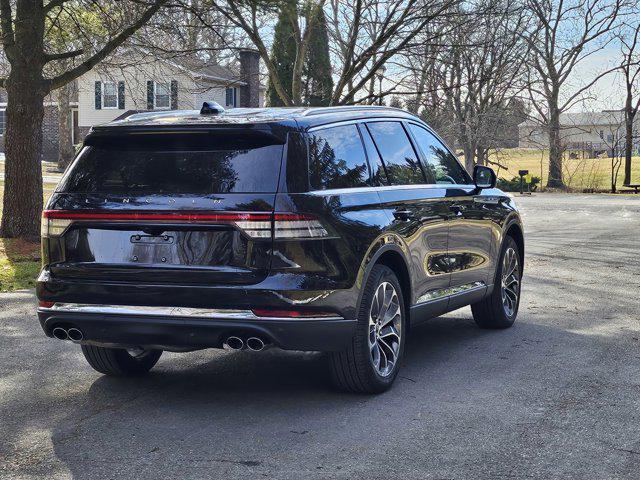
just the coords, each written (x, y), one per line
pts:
(118, 362)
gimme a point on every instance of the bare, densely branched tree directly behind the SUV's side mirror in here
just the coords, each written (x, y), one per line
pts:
(471, 71)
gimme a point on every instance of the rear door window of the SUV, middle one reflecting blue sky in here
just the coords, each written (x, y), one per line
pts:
(397, 153)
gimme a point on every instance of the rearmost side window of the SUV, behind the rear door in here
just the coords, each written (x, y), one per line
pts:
(337, 158)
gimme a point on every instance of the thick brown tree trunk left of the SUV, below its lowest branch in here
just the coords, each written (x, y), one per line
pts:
(23, 147)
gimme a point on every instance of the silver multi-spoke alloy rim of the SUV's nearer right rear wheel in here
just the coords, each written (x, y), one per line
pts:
(385, 329)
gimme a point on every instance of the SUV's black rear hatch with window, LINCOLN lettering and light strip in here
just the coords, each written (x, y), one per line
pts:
(171, 207)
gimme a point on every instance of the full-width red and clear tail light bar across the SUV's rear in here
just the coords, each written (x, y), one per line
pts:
(255, 225)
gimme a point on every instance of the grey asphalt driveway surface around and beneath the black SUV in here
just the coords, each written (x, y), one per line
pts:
(554, 397)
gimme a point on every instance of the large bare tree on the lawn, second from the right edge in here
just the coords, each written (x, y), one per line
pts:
(564, 34)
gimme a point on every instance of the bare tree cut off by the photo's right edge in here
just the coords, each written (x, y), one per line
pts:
(630, 68)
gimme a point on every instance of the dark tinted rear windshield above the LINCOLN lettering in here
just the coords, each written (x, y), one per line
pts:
(188, 169)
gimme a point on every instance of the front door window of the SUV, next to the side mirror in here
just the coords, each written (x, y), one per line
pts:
(439, 161)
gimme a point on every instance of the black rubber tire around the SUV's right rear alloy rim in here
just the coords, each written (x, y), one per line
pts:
(353, 369)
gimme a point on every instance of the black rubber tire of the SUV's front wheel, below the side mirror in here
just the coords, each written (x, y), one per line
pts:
(491, 311)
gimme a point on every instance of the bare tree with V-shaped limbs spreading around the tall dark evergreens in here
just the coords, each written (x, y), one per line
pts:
(365, 35)
